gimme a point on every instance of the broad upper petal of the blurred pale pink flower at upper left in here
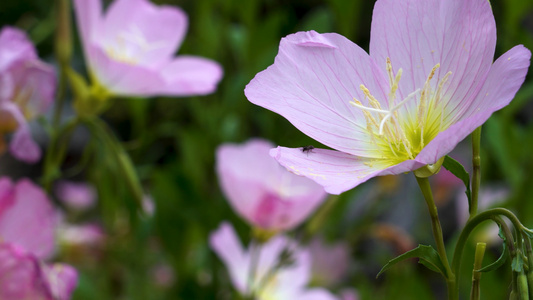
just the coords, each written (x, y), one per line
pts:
(160, 28)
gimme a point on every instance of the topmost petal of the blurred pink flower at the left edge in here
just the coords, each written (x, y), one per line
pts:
(14, 48)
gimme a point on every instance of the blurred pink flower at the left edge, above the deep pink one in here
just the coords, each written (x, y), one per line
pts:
(27, 88)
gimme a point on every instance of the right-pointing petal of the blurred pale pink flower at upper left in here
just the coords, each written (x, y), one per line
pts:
(190, 75)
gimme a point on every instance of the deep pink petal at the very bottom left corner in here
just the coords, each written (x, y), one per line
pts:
(20, 275)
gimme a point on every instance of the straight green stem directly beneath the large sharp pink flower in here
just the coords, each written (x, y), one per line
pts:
(437, 233)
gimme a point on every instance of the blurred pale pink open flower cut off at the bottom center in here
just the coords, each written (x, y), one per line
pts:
(288, 282)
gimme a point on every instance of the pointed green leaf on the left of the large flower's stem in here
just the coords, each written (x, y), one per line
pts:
(428, 256)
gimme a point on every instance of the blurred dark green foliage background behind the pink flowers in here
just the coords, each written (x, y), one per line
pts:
(172, 143)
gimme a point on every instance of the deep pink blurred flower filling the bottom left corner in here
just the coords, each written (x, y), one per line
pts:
(27, 221)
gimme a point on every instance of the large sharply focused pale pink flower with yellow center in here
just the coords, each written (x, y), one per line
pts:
(428, 82)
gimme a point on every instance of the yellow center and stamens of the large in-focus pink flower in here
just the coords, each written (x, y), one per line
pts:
(401, 132)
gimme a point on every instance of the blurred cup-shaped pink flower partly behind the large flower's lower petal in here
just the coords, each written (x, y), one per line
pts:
(261, 191)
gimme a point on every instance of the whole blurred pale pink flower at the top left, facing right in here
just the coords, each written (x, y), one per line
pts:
(130, 50)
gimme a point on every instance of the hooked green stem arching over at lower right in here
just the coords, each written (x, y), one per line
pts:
(491, 214)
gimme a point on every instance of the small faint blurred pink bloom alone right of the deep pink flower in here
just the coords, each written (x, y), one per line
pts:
(76, 195)
